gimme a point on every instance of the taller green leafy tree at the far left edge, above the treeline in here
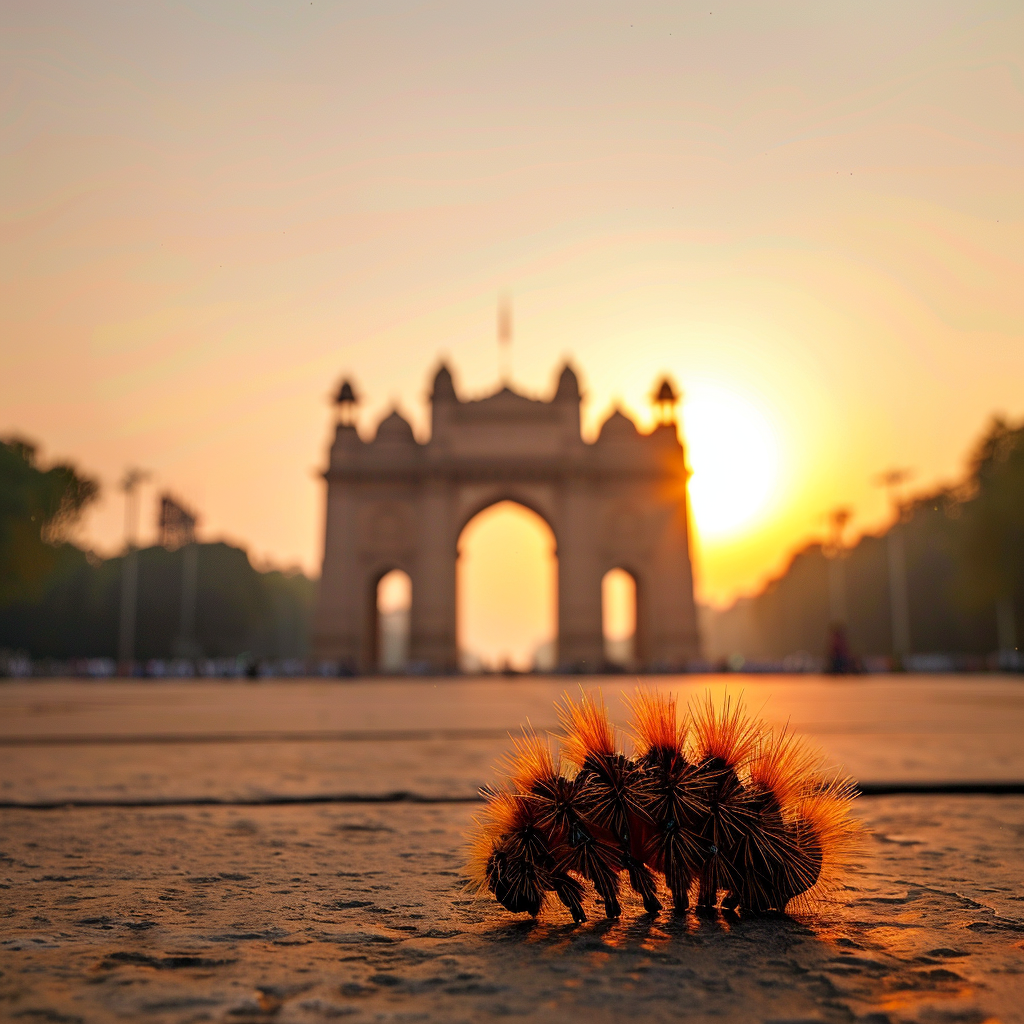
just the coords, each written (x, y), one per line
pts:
(37, 508)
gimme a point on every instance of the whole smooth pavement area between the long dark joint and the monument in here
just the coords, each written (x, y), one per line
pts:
(67, 742)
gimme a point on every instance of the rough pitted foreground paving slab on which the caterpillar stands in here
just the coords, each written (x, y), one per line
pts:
(318, 914)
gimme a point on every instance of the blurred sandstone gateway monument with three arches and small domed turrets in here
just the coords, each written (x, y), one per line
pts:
(397, 503)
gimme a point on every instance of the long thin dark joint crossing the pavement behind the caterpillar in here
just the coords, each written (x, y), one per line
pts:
(404, 797)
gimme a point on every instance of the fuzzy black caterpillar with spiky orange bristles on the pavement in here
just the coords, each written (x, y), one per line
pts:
(733, 815)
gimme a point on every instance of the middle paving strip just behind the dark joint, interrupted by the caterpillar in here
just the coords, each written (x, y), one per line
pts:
(441, 769)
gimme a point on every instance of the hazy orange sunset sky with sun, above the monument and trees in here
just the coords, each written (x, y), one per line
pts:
(809, 215)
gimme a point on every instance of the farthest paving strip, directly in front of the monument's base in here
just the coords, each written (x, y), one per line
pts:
(815, 705)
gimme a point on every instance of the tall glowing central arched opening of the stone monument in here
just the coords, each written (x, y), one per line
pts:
(507, 591)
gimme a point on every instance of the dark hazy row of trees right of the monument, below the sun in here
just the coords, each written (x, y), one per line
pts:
(964, 553)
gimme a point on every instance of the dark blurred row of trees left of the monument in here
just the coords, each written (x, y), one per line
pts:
(60, 602)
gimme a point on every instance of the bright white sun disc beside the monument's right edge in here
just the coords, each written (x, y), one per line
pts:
(735, 458)
